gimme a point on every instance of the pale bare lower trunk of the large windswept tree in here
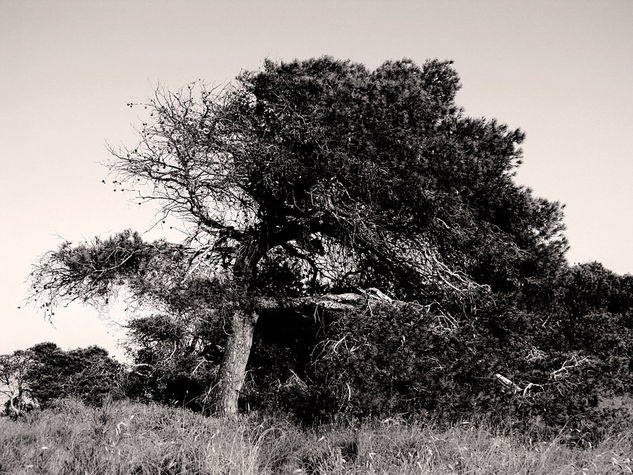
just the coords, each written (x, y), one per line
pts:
(233, 367)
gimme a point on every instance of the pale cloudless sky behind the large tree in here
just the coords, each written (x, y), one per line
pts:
(561, 71)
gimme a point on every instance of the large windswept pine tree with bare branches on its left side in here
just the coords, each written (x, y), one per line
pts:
(306, 182)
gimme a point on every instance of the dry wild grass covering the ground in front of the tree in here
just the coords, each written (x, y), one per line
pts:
(129, 438)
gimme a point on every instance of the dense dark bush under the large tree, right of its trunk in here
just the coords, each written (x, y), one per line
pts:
(407, 361)
